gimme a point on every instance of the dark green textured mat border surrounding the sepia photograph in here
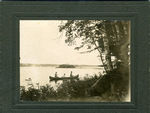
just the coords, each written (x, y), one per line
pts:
(12, 12)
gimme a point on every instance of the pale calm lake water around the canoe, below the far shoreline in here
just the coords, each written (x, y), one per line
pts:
(41, 74)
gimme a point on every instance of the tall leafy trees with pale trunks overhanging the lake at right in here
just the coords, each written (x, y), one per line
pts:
(109, 38)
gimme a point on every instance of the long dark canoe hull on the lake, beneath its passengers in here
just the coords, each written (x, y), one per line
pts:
(63, 78)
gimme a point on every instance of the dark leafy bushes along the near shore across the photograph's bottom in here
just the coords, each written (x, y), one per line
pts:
(74, 90)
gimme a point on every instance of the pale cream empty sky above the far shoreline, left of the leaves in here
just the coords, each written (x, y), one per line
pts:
(42, 43)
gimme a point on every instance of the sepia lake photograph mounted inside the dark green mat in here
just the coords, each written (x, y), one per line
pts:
(75, 60)
